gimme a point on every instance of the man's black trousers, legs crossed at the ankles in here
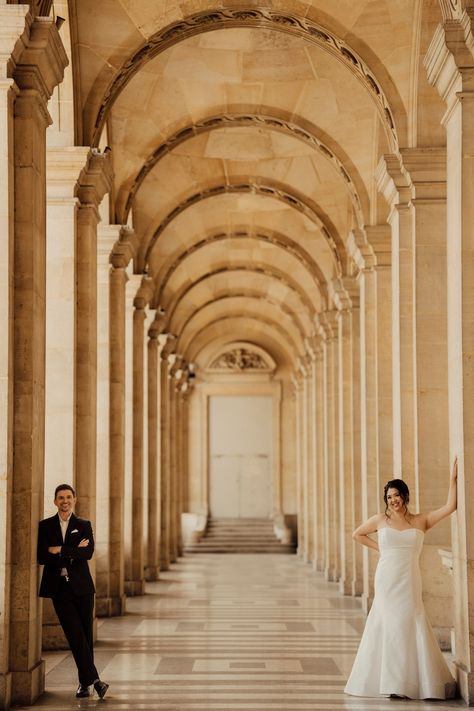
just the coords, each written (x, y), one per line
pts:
(75, 614)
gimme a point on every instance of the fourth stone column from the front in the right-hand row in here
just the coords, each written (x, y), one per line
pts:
(343, 290)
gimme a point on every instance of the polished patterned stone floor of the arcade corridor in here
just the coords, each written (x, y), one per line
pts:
(244, 632)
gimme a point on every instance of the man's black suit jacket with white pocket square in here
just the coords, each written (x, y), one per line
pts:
(72, 558)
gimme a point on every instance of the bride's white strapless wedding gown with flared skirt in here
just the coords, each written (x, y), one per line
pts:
(398, 652)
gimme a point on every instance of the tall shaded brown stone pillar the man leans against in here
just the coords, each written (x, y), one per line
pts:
(38, 63)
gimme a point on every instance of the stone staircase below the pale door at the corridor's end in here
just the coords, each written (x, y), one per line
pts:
(239, 535)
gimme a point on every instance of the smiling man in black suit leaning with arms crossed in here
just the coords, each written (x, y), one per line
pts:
(65, 544)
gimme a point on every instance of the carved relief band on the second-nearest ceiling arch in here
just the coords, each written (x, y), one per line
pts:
(237, 120)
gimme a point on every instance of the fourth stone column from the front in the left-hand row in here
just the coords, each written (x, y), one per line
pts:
(136, 583)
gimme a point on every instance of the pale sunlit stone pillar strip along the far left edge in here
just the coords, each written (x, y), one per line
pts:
(12, 26)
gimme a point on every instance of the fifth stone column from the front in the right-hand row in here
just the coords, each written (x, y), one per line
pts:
(328, 321)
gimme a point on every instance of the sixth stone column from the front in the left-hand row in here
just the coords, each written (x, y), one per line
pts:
(167, 344)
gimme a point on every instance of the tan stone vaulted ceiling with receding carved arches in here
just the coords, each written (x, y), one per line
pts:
(245, 140)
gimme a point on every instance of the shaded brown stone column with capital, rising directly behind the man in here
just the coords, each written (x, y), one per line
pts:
(94, 182)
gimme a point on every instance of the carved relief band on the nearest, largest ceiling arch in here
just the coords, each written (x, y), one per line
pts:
(246, 17)
